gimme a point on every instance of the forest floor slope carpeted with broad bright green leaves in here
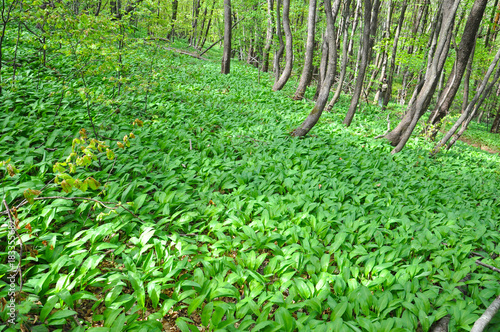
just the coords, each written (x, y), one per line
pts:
(202, 213)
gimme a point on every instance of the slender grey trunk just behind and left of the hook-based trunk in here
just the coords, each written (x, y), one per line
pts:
(305, 78)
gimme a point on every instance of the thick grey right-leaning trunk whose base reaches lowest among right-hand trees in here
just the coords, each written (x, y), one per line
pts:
(400, 135)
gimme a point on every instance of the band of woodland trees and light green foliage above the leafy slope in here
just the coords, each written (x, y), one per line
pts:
(426, 55)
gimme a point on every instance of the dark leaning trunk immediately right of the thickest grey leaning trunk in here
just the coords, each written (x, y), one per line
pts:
(463, 53)
